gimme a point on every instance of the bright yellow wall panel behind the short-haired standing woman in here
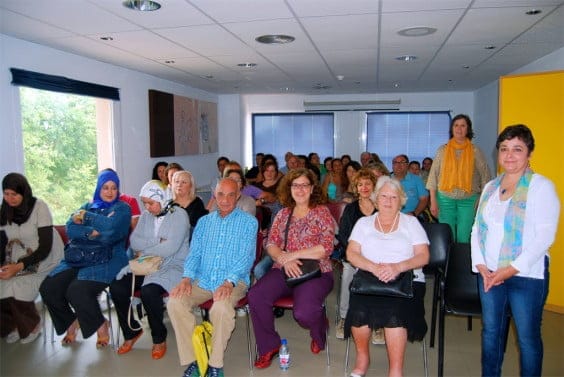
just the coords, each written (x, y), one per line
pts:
(537, 100)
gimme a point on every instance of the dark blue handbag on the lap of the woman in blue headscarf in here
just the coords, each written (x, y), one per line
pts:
(86, 253)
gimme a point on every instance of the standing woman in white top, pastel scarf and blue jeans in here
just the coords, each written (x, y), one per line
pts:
(515, 225)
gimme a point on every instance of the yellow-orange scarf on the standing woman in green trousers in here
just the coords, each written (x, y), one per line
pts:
(456, 173)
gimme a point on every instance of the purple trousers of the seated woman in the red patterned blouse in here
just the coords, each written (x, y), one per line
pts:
(308, 307)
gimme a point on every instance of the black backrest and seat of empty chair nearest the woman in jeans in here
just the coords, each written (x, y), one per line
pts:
(461, 284)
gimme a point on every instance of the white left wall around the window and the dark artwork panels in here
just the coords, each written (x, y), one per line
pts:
(132, 121)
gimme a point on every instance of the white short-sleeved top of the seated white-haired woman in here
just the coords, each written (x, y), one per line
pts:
(390, 247)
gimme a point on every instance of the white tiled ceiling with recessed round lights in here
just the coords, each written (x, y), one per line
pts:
(340, 47)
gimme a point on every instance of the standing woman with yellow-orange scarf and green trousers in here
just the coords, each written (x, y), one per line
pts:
(458, 175)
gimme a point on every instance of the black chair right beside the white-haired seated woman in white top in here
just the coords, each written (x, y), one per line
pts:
(440, 238)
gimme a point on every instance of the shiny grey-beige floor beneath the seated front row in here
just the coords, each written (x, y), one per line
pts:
(462, 354)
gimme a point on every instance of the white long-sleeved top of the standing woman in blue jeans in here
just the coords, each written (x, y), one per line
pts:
(539, 229)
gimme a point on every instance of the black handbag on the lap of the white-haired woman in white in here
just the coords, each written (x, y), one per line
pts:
(365, 283)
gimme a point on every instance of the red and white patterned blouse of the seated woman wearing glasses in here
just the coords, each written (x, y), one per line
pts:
(316, 228)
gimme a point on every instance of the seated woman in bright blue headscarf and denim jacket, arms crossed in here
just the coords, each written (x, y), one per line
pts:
(71, 293)
